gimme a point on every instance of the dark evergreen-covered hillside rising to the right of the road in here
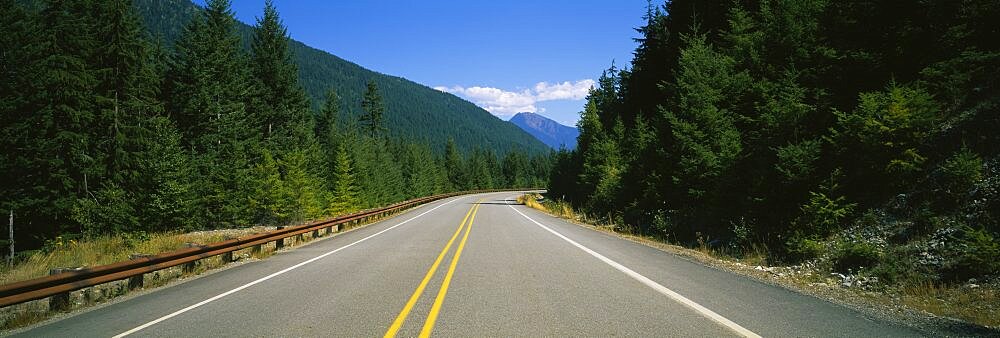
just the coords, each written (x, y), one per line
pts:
(802, 126)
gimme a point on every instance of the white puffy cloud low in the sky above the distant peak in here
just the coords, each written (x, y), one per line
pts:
(505, 103)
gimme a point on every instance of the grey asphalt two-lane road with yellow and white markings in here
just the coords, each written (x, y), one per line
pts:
(472, 266)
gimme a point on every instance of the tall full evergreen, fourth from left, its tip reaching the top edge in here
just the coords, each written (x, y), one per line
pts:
(209, 86)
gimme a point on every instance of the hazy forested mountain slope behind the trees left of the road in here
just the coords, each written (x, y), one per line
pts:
(413, 111)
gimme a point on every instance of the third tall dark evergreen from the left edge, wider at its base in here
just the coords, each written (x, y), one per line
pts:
(134, 135)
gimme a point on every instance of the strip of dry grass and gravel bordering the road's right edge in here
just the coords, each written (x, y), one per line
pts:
(976, 302)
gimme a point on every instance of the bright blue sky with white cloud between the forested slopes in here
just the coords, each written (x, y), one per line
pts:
(505, 56)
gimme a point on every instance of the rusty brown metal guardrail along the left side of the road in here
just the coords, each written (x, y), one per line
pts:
(62, 283)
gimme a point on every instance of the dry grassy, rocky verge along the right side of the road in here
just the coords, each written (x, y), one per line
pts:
(979, 305)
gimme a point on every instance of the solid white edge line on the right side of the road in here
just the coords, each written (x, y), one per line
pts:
(649, 282)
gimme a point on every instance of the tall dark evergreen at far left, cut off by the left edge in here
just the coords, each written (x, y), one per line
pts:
(30, 158)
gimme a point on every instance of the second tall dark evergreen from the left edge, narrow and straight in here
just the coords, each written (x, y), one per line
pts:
(65, 109)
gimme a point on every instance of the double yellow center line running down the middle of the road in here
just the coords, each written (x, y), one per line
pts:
(436, 308)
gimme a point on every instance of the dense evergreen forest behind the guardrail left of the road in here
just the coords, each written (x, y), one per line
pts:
(107, 129)
